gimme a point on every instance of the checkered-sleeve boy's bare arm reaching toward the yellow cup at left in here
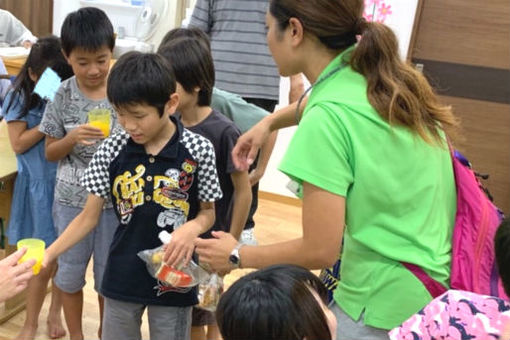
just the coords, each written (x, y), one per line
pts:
(79, 227)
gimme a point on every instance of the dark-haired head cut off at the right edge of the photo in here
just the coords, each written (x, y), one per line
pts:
(502, 249)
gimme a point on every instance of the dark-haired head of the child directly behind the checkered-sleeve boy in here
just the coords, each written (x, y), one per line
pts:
(193, 66)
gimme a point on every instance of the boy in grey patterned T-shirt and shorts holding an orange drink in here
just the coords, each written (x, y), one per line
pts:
(87, 42)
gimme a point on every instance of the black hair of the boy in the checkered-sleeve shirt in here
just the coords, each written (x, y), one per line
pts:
(141, 78)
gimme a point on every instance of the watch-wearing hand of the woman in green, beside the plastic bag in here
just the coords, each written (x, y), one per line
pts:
(215, 252)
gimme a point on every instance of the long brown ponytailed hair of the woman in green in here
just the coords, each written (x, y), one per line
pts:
(400, 94)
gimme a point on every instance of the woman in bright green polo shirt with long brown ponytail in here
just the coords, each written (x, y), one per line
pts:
(371, 155)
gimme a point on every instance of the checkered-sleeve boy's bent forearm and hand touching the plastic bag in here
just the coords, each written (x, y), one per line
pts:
(183, 239)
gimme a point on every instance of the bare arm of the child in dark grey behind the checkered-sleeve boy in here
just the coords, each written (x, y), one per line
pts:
(241, 202)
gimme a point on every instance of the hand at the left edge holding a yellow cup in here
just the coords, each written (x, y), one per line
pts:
(14, 276)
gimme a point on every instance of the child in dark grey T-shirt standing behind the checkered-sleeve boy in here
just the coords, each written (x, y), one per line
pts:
(192, 64)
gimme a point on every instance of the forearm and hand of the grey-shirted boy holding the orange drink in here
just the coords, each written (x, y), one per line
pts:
(58, 148)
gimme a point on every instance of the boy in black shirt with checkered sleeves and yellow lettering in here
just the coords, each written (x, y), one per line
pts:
(161, 177)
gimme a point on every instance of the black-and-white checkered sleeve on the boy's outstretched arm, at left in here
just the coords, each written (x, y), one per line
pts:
(96, 178)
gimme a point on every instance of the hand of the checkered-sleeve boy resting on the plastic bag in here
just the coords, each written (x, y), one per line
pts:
(180, 249)
